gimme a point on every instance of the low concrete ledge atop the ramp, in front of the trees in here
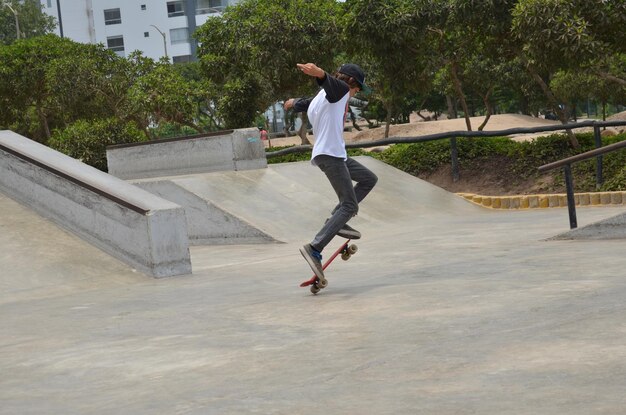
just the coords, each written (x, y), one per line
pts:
(228, 150)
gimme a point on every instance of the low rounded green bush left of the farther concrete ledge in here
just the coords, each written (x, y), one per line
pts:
(87, 140)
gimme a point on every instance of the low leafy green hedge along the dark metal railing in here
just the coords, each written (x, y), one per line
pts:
(520, 159)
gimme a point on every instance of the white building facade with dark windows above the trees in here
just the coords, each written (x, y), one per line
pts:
(156, 27)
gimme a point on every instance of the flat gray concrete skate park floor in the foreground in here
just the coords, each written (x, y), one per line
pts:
(466, 313)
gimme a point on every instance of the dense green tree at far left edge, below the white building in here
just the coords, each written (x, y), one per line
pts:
(47, 82)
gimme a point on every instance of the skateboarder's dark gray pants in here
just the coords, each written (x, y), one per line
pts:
(341, 174)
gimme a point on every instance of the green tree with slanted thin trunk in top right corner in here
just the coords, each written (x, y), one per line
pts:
(569, 35)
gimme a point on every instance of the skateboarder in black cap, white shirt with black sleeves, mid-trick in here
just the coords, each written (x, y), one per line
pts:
(327, 113)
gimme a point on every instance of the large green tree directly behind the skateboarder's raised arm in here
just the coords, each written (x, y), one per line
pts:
(250, 52)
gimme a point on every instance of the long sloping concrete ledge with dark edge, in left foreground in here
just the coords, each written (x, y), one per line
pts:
(137, 227)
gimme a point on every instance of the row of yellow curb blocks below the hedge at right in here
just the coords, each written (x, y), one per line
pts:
(545, 200)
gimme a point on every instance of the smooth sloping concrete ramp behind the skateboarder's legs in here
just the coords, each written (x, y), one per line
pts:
(288, 202)
